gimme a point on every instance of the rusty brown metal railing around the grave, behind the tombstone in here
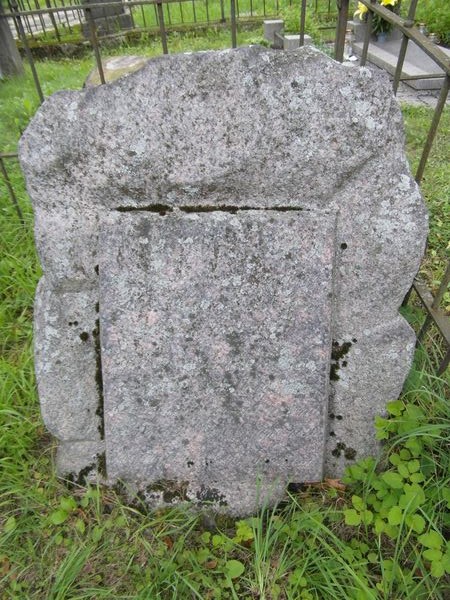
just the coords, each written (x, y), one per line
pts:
(163, 15)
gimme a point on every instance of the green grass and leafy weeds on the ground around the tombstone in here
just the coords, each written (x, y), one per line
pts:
(378, 535)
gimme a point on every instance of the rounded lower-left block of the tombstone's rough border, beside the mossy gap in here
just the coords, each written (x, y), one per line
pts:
(66, 362)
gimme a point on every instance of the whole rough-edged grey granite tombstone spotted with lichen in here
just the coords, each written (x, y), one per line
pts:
(226, 238)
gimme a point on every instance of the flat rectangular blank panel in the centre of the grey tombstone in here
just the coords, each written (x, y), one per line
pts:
(215, 331)
